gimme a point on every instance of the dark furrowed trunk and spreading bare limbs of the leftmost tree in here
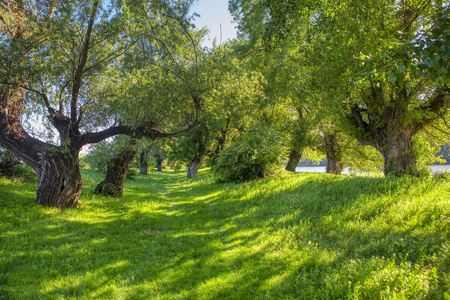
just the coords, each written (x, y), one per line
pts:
(57, 167)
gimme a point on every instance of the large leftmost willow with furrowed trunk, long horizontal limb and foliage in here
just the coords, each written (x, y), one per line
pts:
(92, 70)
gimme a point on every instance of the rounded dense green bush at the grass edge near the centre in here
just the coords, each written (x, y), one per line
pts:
(257, 154)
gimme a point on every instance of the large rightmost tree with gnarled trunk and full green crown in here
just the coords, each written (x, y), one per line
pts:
(382, 64)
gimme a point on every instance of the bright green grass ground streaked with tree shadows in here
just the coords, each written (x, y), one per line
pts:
(295, 236)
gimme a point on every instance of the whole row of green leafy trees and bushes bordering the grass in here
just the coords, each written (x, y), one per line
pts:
(364, 82)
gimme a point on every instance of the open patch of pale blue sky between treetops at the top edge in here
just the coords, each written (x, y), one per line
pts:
(214, 13)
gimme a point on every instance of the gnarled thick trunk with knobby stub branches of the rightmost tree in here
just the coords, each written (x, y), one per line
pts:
(390, 127)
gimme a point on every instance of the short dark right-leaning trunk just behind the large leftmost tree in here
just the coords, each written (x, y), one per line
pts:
(115, 175)
